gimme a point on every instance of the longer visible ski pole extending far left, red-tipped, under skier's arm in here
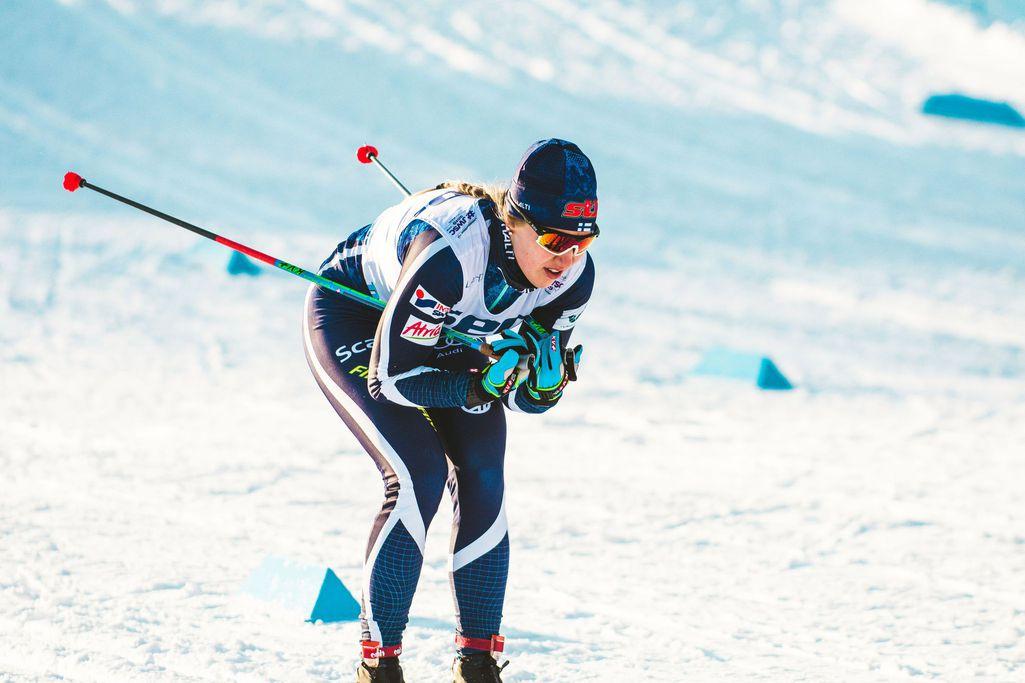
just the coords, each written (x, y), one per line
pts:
(73, 182)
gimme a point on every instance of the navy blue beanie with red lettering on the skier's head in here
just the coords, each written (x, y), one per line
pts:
(555, 186)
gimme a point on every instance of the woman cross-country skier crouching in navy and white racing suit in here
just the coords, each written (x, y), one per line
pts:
(483, 261)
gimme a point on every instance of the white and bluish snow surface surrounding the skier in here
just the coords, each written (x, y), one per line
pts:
(767, 184)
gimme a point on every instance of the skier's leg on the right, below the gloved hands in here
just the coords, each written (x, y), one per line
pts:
(476, 445)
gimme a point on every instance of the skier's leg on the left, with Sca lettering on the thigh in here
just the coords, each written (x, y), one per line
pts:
(339, 337)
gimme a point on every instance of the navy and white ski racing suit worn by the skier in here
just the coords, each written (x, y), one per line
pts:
(401, 387)
